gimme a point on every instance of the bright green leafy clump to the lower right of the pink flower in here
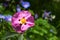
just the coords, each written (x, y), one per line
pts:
(41, 30)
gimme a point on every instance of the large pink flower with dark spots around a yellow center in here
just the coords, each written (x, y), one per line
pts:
(21, 21)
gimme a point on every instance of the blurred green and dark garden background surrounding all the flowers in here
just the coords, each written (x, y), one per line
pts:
(44, 29)
